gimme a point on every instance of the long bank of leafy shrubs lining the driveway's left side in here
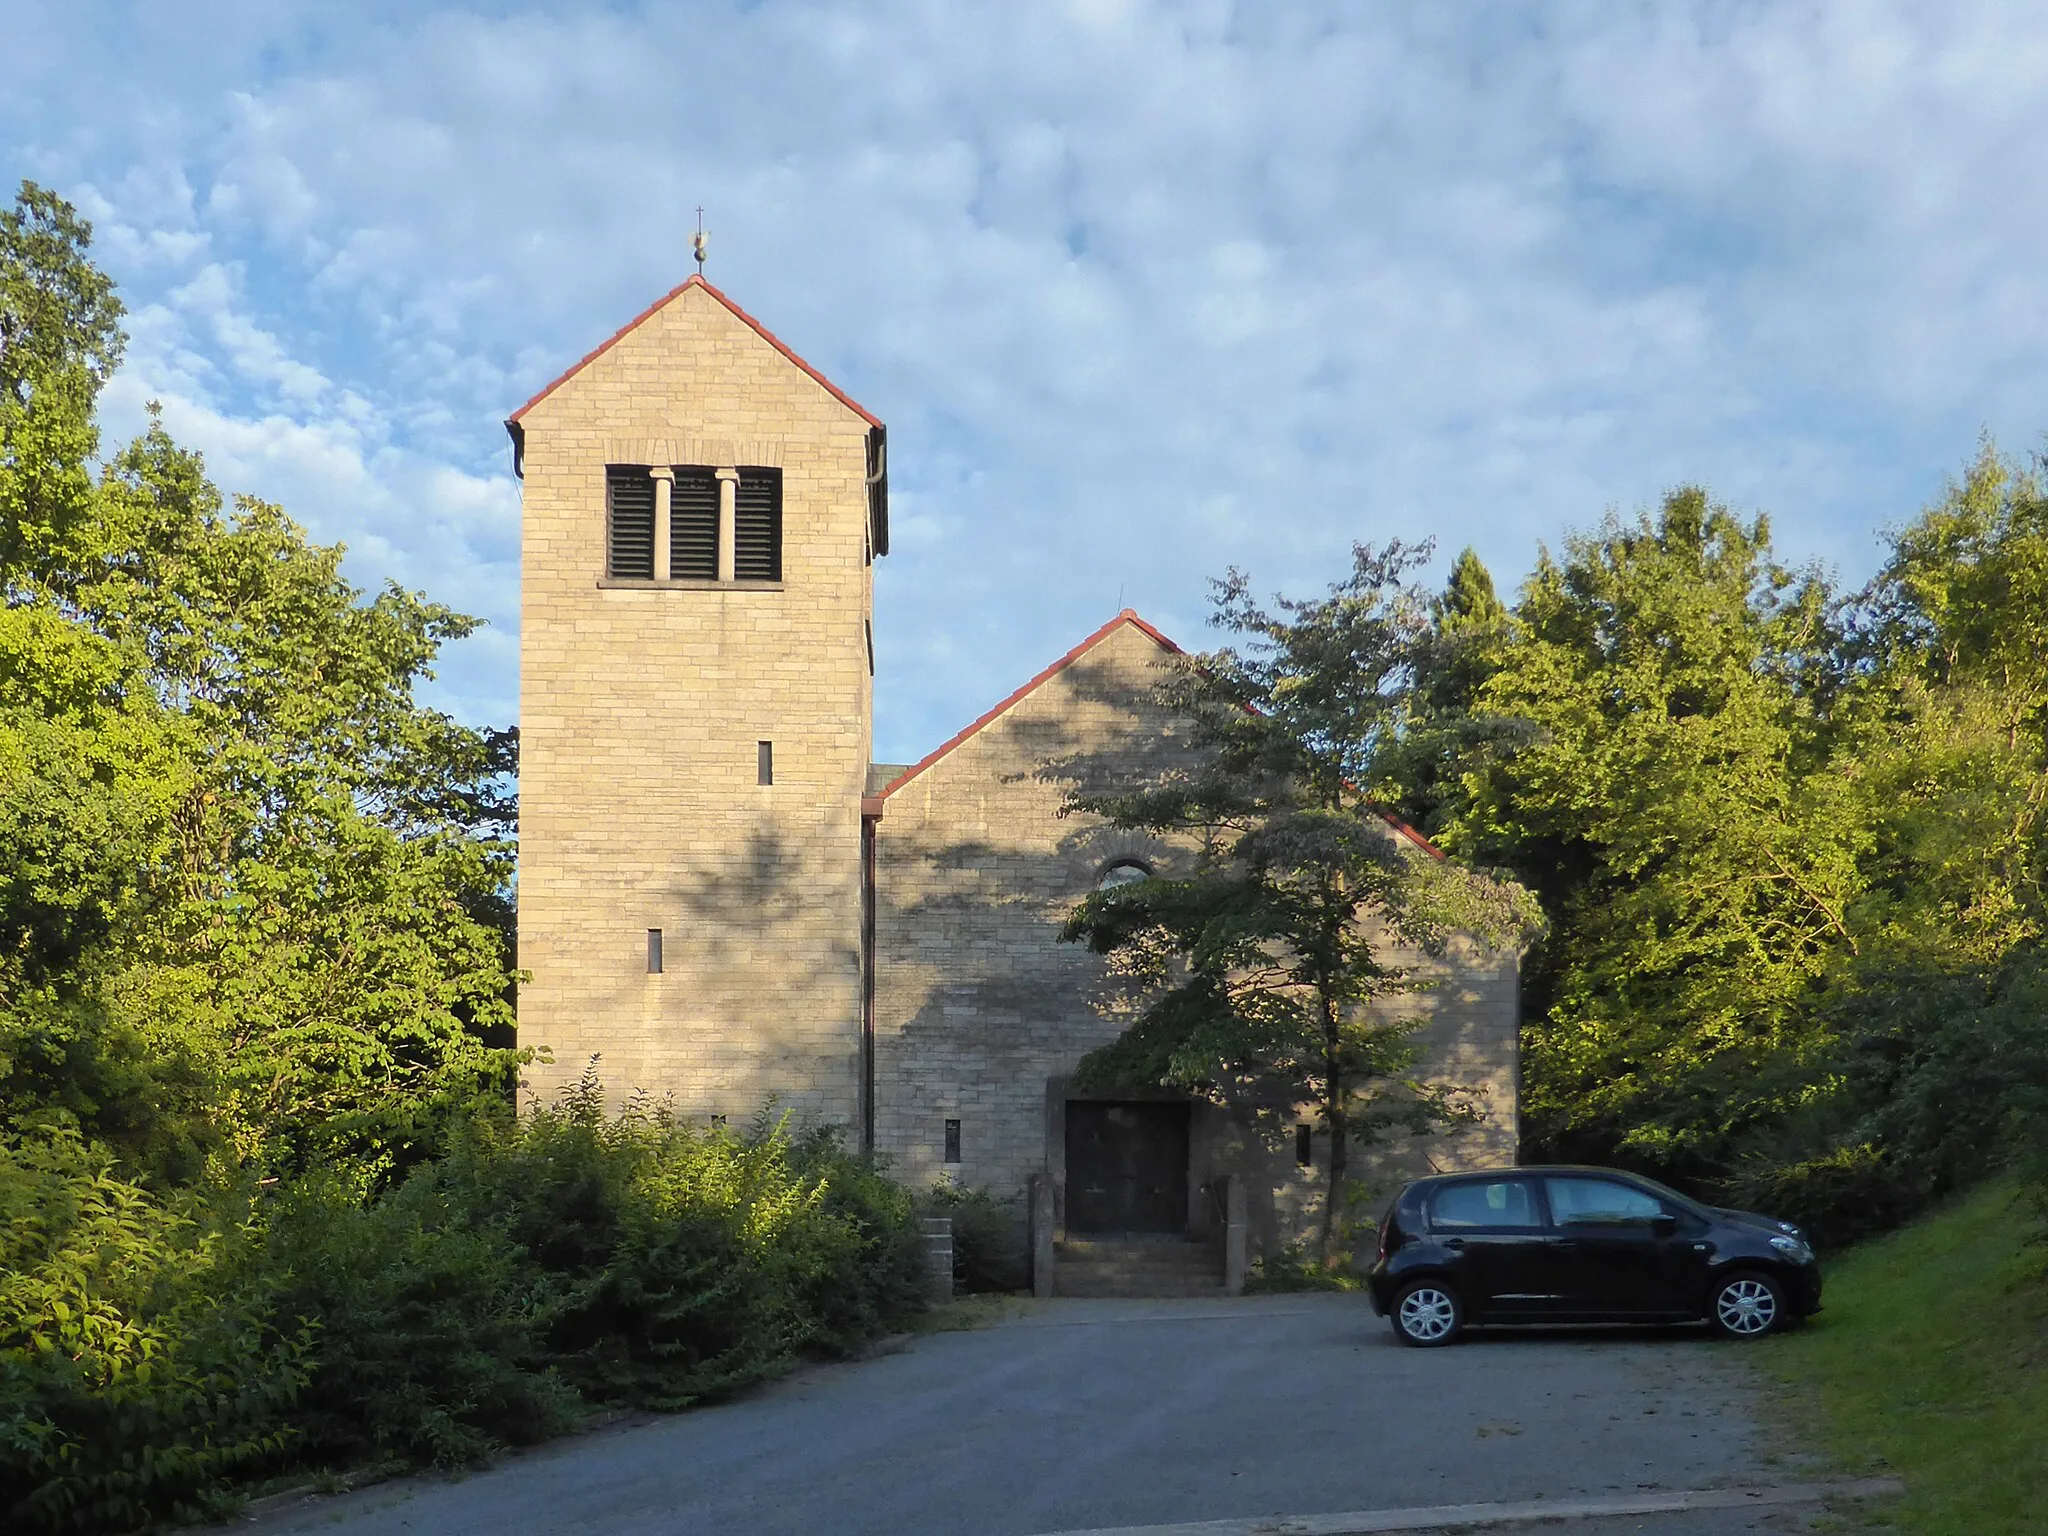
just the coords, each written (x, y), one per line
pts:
(482, 1302)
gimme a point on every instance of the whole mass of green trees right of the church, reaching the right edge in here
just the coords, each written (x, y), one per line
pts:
(1789, 845)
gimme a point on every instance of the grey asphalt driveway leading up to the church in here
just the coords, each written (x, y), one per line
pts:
(1084, 1416)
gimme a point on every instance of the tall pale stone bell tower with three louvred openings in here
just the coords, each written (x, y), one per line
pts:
(701, 515)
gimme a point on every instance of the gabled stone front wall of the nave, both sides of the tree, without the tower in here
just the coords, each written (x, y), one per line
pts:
(980, 1007)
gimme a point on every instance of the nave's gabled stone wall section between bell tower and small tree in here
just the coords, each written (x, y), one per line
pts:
(976, 1000)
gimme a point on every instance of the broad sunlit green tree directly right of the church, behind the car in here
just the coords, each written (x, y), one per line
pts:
(1664, 800)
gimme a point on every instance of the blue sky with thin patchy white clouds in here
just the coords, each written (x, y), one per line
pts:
(1142, 290)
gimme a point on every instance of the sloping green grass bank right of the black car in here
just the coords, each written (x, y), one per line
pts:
(1932, 1363)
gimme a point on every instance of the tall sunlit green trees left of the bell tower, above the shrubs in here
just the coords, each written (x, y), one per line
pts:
(257, 894)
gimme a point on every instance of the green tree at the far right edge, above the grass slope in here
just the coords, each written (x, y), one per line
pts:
(1932, 1056)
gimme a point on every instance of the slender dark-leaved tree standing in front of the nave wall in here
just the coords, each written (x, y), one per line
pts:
(1263, 966)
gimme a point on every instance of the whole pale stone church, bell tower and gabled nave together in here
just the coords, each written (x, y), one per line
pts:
(722, 896)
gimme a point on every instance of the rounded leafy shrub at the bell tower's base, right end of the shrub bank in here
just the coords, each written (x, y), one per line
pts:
(681, 1263)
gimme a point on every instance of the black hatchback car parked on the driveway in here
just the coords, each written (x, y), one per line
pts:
(1582, 1246)
